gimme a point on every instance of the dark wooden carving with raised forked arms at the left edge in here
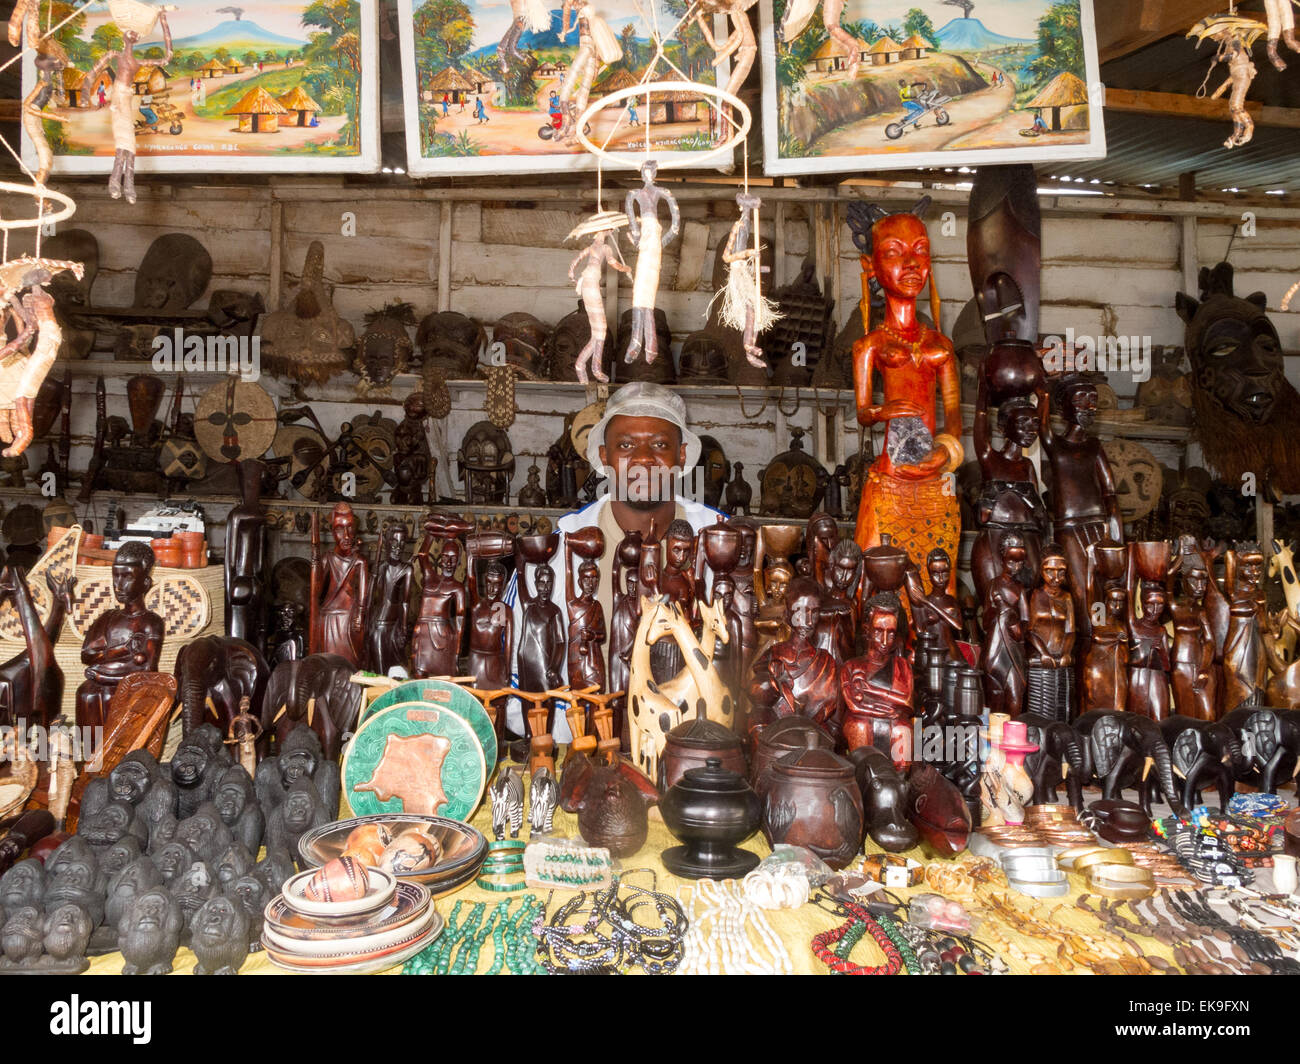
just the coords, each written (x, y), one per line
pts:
(32, 684)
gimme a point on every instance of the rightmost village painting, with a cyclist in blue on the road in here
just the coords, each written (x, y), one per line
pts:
(903, 84)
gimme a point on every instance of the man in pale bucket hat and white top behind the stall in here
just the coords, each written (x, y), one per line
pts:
(643, 449)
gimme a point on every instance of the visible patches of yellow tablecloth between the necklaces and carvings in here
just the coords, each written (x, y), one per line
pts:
(795, 927)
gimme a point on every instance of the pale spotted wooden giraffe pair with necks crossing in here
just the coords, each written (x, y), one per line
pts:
(696, 691)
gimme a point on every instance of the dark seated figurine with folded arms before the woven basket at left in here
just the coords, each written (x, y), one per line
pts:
(120, 642)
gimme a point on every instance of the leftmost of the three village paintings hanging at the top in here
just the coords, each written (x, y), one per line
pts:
(270, 86)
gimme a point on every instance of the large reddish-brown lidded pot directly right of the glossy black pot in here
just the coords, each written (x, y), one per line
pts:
(812, 799)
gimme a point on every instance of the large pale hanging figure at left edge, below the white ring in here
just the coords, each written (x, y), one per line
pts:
(33, 314)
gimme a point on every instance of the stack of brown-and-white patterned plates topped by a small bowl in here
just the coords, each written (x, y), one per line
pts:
(392, 924)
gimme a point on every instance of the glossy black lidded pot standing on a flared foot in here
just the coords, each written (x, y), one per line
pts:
(710, 810)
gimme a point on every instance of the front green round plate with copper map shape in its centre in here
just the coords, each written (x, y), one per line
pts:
(417, 758)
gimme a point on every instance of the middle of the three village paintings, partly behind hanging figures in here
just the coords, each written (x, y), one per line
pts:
(484, 94)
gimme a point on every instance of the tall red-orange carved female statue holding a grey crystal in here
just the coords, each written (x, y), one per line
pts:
(907, 494)
